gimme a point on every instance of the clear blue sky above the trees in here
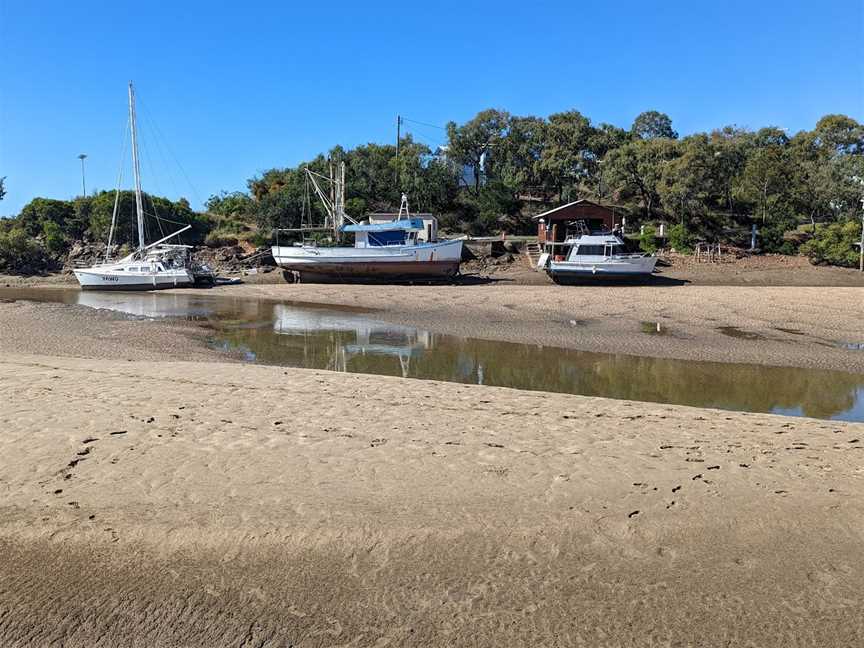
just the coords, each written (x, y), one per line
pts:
(239, 87)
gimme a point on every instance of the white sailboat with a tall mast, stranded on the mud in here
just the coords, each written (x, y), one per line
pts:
(150, 267)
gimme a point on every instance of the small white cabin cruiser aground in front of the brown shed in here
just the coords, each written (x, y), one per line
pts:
(594, 256)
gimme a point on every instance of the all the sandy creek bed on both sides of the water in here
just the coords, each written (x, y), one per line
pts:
(157, 493)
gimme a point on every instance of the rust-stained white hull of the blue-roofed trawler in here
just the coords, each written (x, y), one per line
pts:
(425, 261)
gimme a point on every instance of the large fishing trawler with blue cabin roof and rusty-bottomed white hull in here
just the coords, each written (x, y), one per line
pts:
(401, 248)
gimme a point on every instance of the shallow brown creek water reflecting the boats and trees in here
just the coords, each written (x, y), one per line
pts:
(308, 336)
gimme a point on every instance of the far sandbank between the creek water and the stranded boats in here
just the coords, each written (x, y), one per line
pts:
(796, 327)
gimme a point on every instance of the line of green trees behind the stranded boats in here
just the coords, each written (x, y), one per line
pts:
(802, 190)
